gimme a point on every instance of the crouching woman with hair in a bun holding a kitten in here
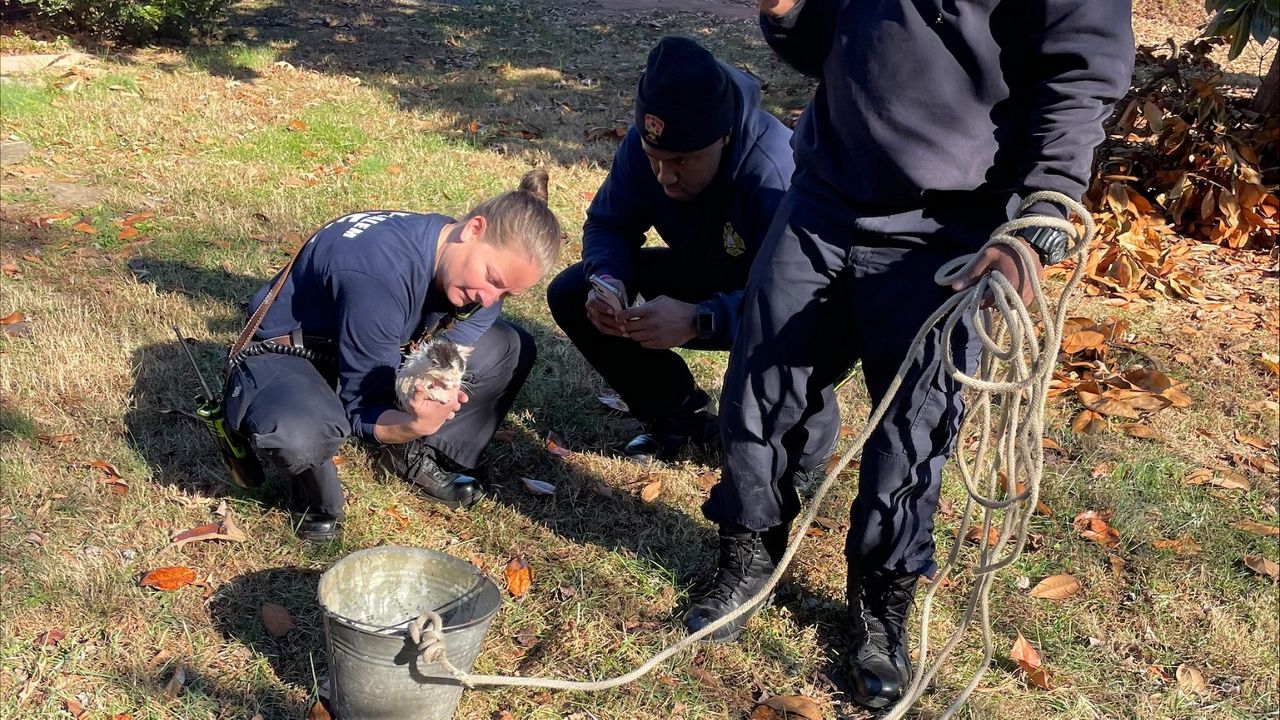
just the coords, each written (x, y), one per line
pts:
(363, 289)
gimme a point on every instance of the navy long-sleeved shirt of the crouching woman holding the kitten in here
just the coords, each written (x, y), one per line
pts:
(367, 281)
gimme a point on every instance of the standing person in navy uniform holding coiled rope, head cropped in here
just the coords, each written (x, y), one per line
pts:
(931, 122)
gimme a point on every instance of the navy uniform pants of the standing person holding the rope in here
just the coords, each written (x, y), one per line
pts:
(830, 289)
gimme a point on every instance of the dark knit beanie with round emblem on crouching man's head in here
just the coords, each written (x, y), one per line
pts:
(685, 101)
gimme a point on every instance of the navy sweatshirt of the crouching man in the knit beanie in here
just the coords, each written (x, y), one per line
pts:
(720, 231)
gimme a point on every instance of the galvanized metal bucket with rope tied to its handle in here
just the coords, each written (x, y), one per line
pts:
(369, 599)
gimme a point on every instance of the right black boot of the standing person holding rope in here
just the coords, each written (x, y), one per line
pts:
(880, 666)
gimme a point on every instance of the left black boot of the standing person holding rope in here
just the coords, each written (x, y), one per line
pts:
(747, 560)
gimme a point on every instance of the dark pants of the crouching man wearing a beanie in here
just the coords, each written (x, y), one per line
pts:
(655, 384)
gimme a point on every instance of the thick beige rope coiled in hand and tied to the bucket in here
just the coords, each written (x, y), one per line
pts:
(1008, 404)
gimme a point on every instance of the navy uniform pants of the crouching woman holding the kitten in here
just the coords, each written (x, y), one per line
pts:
(290, 411)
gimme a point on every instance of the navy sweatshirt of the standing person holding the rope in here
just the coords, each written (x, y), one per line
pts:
(922, 98)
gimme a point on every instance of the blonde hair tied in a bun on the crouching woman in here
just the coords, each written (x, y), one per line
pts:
(522, 221)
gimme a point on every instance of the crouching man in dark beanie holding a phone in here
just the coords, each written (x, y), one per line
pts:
(706, 167)
